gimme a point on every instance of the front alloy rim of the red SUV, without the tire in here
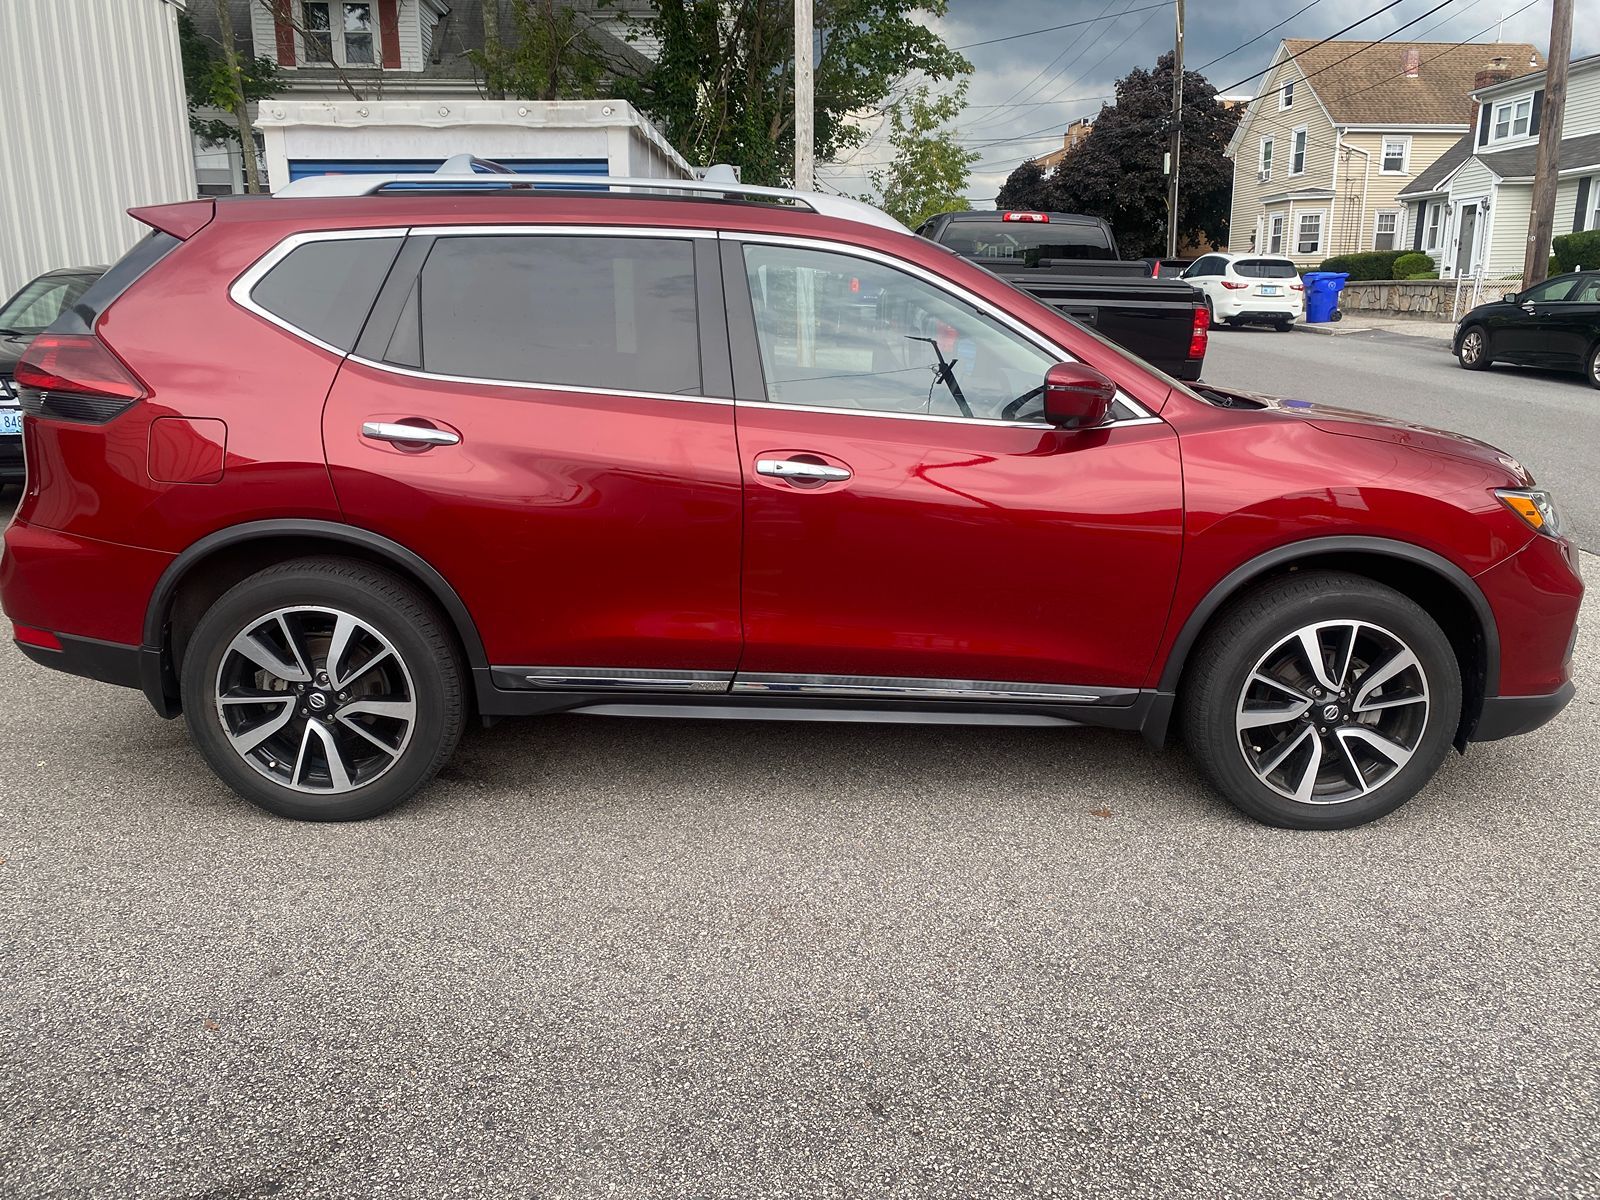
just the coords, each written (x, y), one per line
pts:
(1332, 713)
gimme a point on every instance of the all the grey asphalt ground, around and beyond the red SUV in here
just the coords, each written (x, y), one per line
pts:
(614, 958)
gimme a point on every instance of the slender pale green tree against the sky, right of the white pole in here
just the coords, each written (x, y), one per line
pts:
(930, 169)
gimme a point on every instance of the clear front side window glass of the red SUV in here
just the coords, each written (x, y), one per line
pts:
(842, 332)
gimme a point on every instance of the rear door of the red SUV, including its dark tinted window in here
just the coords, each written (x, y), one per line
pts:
(574, 470)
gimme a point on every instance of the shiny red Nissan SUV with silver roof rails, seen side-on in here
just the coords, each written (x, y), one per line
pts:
(334, 473)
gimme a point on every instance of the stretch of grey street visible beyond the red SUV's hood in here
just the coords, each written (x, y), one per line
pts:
(1548, 420)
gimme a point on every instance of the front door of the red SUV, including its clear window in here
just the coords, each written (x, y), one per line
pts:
(911, 522)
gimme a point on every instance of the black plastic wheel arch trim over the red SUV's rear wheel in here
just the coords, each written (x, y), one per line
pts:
(417, 567)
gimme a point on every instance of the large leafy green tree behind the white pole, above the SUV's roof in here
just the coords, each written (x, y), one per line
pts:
(722, 86)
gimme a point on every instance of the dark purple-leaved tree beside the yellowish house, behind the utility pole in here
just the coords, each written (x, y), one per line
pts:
(1118, 170)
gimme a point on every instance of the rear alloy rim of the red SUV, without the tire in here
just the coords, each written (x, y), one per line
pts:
(316, 700)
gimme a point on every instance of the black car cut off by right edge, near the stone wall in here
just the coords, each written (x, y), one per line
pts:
(1553, 324)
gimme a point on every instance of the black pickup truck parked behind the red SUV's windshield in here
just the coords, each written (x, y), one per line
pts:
(1071, 263)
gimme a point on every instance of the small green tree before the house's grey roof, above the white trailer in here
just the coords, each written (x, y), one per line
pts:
(548, 57)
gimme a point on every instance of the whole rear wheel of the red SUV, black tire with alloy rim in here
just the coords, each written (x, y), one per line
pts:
(423, 670)
